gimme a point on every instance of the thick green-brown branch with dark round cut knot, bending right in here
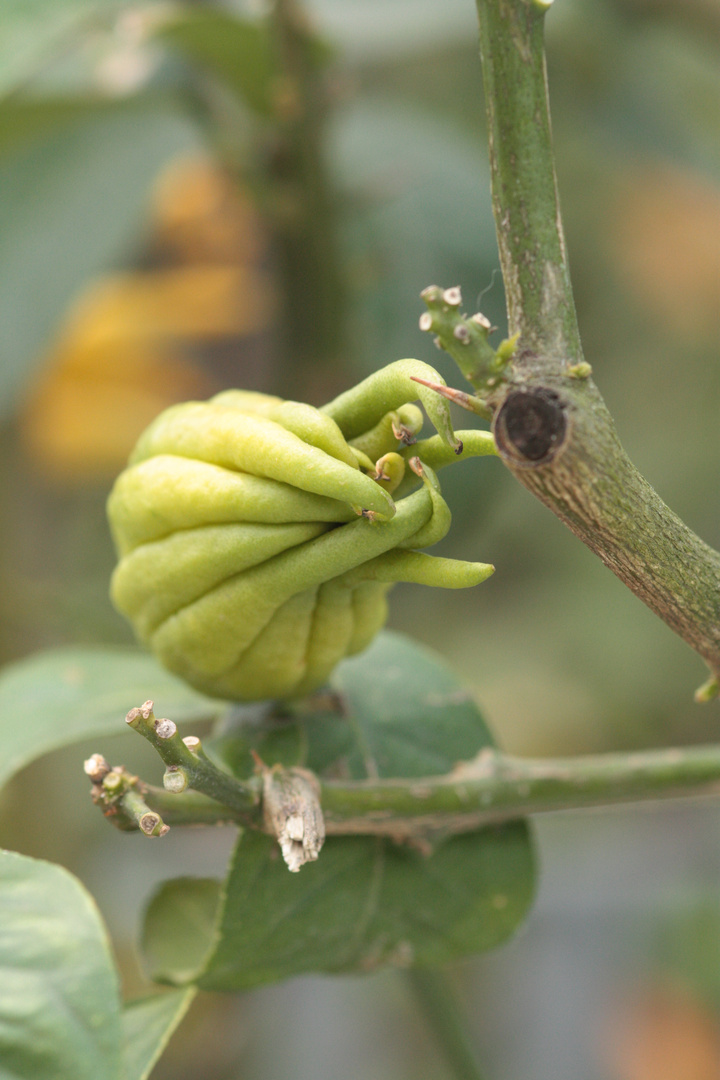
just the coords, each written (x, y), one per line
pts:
(551, 424)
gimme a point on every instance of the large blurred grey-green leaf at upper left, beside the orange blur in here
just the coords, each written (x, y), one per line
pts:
(73, 204)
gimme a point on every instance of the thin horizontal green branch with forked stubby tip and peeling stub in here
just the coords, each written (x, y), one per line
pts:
(300, 809)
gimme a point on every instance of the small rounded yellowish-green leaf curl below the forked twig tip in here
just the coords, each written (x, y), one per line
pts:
(180, 926)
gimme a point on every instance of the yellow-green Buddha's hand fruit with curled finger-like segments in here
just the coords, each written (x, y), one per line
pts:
(259, 538)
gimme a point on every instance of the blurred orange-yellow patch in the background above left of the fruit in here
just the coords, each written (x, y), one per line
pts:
(132, 344)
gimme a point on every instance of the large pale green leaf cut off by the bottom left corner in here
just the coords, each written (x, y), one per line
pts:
(60, 1003)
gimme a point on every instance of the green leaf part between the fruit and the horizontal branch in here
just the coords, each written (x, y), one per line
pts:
(382, 727)
